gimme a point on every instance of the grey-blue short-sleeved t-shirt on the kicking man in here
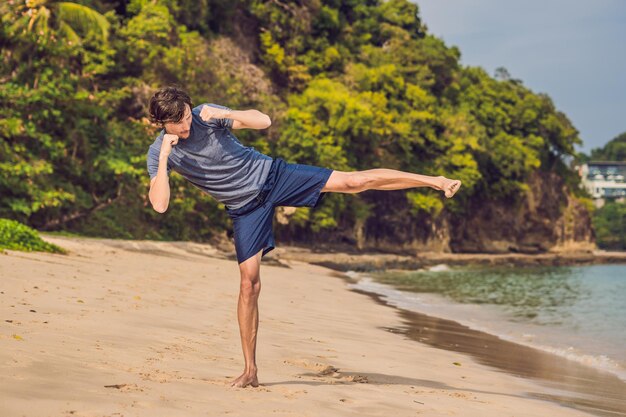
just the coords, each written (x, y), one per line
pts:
(213, 160)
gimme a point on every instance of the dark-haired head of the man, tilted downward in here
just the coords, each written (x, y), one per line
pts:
(170, 107)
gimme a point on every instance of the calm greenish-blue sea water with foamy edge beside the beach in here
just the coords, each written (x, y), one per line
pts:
(578, 312)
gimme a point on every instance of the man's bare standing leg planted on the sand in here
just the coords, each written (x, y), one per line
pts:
(248, 316)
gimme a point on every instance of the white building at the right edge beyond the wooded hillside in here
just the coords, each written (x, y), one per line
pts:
(604, 180)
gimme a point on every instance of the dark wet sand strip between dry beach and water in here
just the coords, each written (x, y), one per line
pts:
(580, 386)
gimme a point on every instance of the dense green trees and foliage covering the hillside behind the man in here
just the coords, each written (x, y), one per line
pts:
(349, 85)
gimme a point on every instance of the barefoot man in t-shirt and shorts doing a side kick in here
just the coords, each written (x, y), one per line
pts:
(197, 143)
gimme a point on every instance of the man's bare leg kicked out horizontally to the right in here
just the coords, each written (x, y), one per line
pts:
(387, 179)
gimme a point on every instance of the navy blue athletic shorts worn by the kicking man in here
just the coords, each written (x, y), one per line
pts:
(287, 184)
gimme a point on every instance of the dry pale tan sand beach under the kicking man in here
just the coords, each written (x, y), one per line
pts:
(141, 328)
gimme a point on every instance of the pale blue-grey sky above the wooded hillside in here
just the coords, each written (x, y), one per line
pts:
(574, 51)
